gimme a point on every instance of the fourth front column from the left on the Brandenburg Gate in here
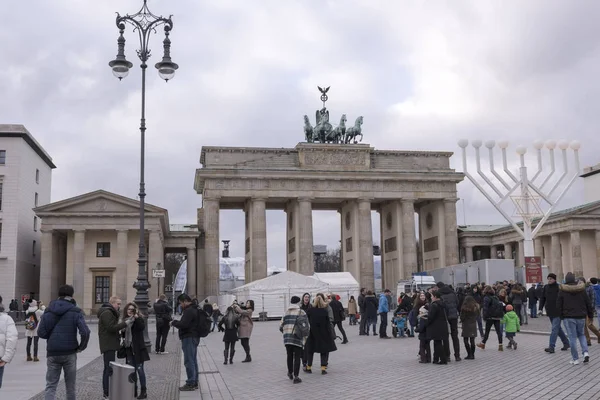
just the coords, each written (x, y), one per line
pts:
(365, 245)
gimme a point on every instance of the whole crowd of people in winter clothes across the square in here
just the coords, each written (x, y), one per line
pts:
(309, 326)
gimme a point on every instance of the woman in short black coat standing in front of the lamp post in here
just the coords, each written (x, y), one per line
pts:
(135, 346)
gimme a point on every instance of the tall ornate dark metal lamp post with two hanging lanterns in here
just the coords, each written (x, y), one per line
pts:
(144, 23)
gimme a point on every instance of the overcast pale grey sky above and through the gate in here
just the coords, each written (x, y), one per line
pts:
(422, 74)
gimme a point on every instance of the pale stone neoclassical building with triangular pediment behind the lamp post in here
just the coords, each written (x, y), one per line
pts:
(91, 242)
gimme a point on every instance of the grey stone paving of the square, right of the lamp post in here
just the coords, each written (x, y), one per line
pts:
(369, 367)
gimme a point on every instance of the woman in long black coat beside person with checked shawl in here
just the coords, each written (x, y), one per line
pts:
(320, 340)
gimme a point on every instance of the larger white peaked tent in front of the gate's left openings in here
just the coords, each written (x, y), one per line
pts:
(272, 294)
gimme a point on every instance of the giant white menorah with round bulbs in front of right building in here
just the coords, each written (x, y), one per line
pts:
(531, 193)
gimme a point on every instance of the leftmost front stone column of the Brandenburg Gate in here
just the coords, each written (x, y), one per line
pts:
(211, 239)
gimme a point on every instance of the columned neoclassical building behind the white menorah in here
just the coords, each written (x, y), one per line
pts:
(569, 241)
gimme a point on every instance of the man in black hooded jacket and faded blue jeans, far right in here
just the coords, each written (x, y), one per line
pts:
(574, 306)
